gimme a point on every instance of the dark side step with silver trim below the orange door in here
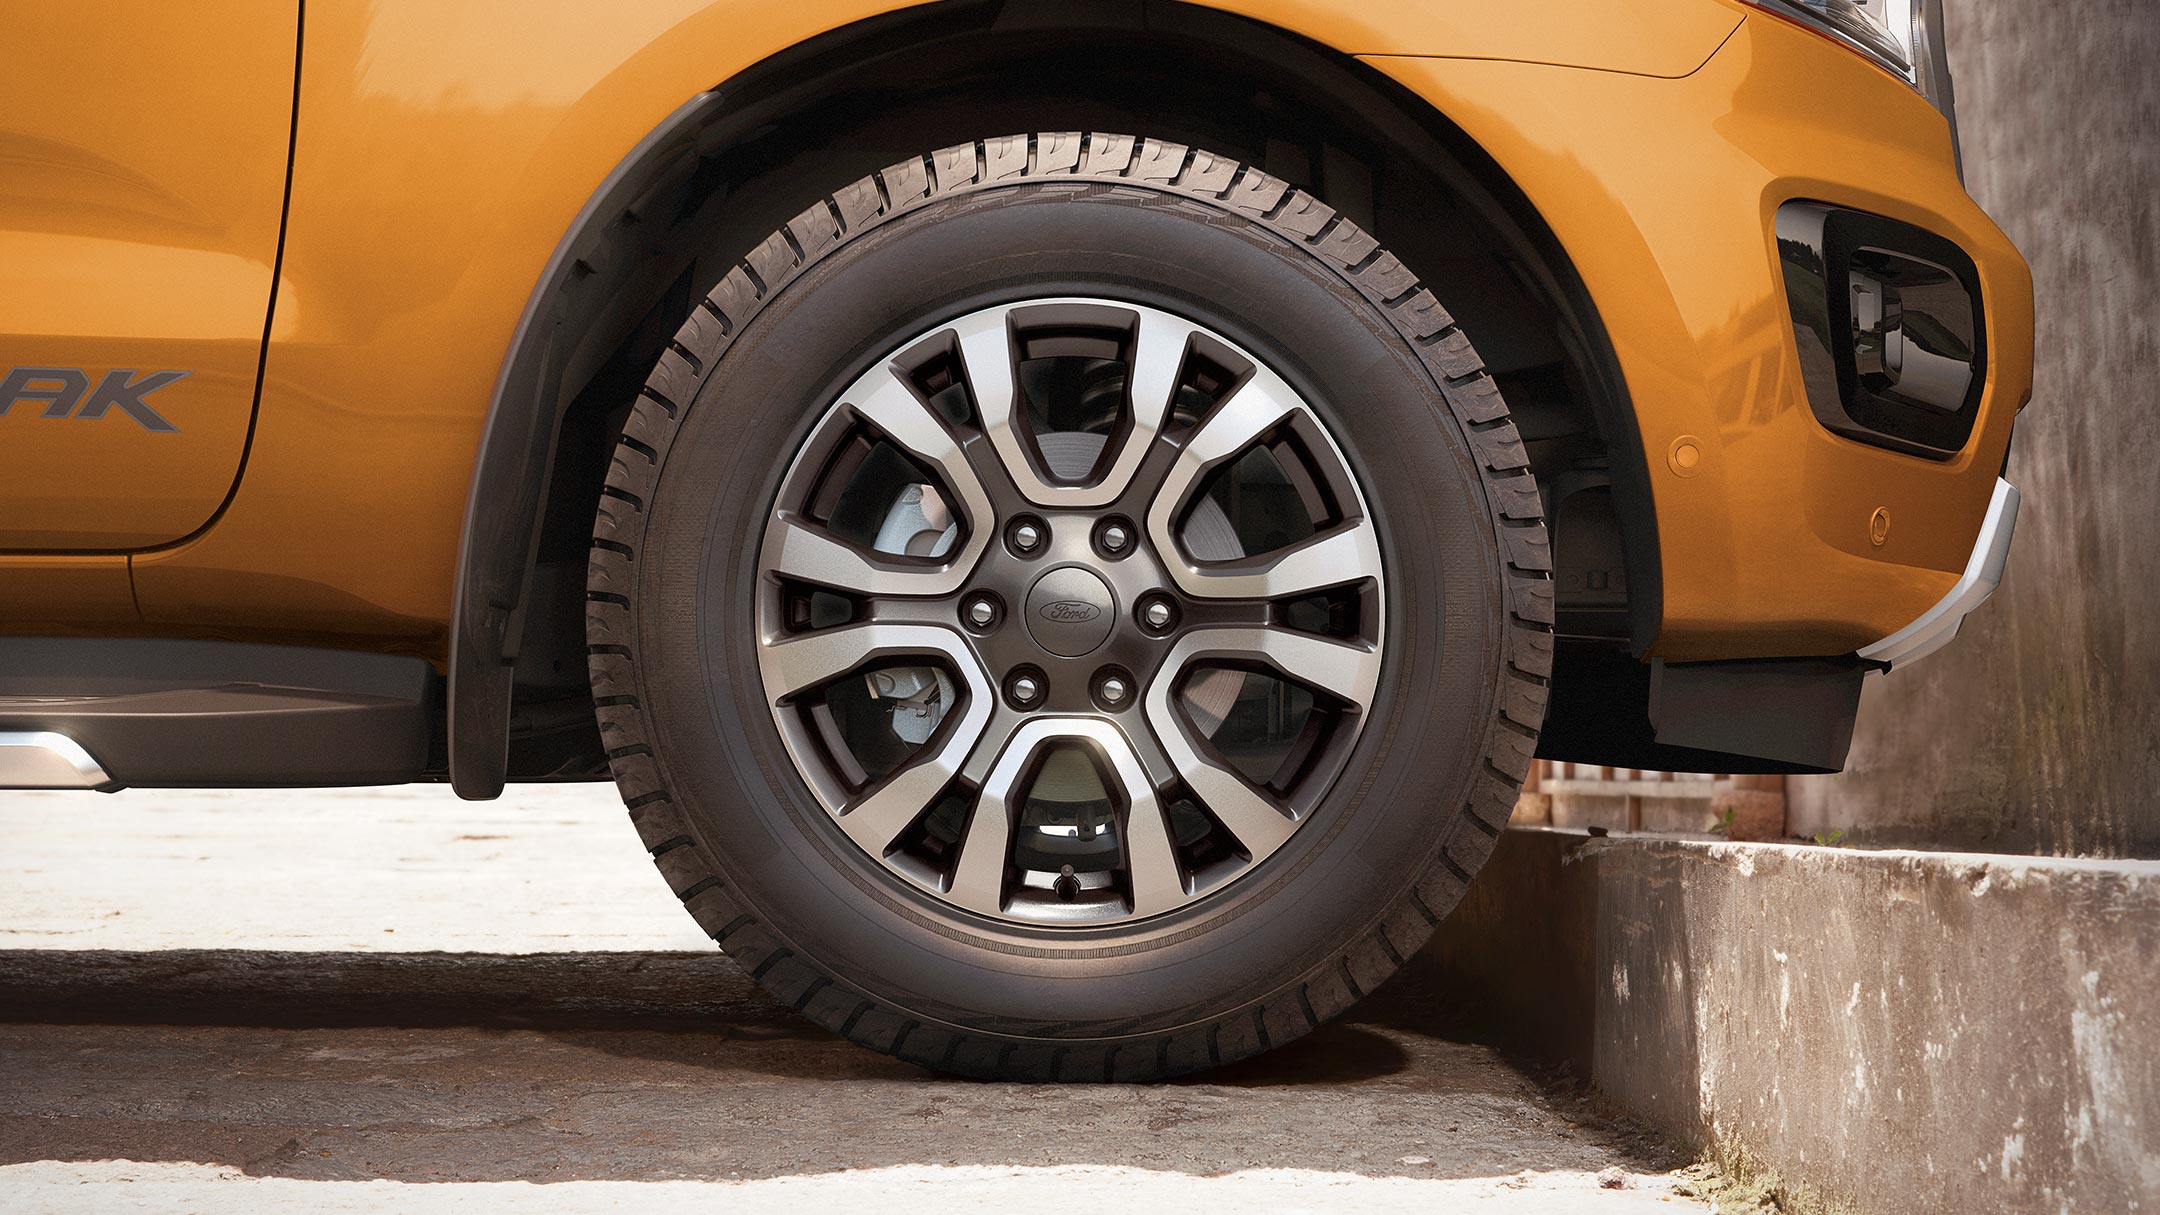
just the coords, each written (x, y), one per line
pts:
(178, 715)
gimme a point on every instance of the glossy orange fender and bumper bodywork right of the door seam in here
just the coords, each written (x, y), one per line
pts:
(446, 150)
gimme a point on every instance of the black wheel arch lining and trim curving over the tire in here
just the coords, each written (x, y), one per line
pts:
(643, 250)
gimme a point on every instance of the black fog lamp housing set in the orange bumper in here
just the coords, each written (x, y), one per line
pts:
(1887, 317)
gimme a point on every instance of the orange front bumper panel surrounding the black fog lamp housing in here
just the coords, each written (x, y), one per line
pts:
(1779, 537)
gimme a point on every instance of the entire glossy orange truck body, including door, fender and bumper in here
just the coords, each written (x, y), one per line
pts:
(336, 222)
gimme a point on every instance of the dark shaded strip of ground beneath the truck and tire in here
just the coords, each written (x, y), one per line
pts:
(649, 1067)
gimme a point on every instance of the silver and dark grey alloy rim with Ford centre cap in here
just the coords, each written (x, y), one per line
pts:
(1070, 613)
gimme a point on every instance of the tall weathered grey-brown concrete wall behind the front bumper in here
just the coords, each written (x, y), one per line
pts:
(2040, 730)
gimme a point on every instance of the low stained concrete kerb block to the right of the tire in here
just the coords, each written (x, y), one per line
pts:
(1904, 1032)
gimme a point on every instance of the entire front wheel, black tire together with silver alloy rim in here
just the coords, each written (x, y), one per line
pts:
(1070, 609)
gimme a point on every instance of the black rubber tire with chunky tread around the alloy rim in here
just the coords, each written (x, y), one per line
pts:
(1388, 844)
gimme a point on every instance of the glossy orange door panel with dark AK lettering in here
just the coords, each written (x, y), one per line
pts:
(141, 189)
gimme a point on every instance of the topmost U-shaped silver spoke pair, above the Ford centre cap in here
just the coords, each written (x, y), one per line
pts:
(986, 347)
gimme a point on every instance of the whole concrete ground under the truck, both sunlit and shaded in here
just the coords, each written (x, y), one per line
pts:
(403, 1002)
